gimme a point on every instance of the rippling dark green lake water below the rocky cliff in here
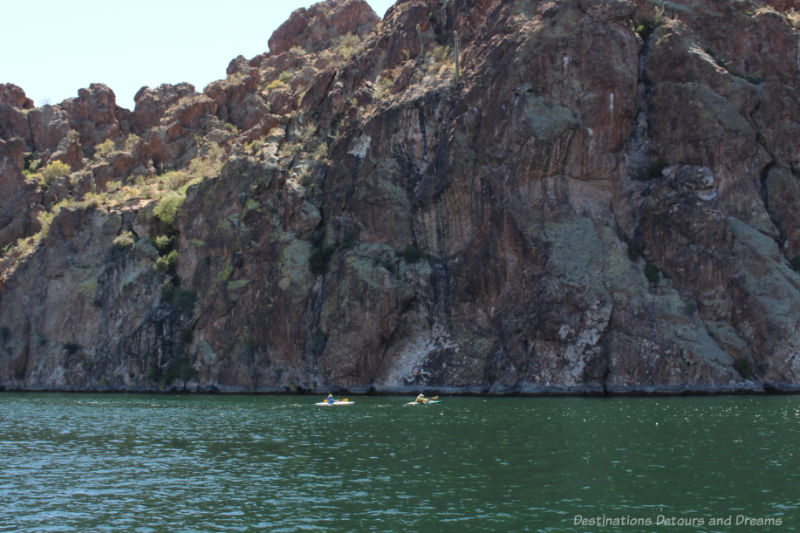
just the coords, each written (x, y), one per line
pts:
(74, 462)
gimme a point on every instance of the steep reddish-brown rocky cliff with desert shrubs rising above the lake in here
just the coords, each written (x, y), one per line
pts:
(468, 196)
